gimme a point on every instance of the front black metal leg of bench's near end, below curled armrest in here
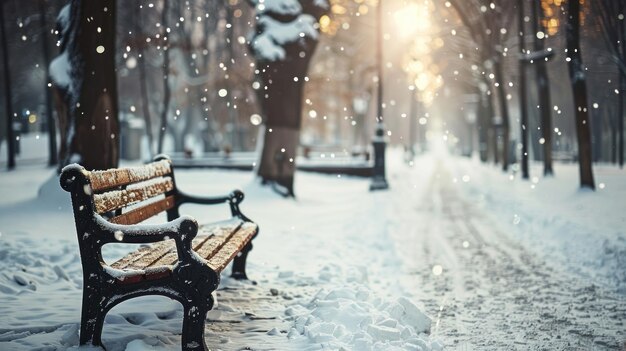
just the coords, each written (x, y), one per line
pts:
(193, 325)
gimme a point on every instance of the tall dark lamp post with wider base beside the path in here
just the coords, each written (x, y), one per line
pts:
(379, 181)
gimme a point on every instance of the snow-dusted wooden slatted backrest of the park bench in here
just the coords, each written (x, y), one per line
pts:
(127, 195)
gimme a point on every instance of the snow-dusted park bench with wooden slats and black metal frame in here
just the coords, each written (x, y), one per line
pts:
(184, 260)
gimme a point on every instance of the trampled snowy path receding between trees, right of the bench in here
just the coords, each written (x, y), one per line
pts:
(493, 293)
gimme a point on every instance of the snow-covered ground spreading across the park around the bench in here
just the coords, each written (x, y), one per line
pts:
(454, 255)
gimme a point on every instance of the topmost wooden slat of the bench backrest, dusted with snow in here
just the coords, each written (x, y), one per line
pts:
(112, 178)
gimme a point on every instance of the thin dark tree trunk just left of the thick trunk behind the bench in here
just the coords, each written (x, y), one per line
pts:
(52, 134)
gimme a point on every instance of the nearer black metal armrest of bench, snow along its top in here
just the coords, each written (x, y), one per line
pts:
(183, 230)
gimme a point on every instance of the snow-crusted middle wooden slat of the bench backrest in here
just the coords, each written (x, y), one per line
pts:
(116, 199)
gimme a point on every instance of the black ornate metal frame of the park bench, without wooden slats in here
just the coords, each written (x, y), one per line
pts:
(191, 281)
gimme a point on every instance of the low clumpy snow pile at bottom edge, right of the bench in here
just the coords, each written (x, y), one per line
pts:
(355, 318)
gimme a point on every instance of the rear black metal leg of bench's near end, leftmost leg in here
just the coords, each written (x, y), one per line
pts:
(92, 320)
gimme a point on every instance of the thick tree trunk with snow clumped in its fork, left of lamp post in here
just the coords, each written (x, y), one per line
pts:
(284, 42)
